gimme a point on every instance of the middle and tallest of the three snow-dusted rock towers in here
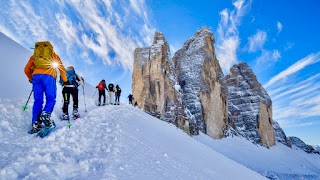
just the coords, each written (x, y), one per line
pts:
(203, 86)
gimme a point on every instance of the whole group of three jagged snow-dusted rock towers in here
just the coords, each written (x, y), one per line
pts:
(191, 91)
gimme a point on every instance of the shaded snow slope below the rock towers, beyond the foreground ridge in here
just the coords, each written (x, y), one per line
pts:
(277, 162)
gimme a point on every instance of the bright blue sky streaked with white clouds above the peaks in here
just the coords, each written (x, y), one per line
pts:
(278, 39)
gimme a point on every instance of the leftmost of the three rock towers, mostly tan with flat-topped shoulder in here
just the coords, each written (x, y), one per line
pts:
(154, 85)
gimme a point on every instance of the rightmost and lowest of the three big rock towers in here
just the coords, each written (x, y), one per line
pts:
(250, 106)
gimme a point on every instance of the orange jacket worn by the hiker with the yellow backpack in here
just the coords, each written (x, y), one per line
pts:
(30, 70)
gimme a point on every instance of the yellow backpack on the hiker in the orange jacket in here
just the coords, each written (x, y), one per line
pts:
(42, 55)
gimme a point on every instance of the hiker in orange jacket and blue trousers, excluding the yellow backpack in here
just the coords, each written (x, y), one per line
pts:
(44, 82)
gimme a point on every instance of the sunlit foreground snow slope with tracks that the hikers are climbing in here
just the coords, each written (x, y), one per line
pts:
(110, 142)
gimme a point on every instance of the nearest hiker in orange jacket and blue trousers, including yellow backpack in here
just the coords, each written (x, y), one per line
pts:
(41, 71)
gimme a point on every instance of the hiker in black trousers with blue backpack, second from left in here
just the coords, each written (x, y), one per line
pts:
(71, 88)
